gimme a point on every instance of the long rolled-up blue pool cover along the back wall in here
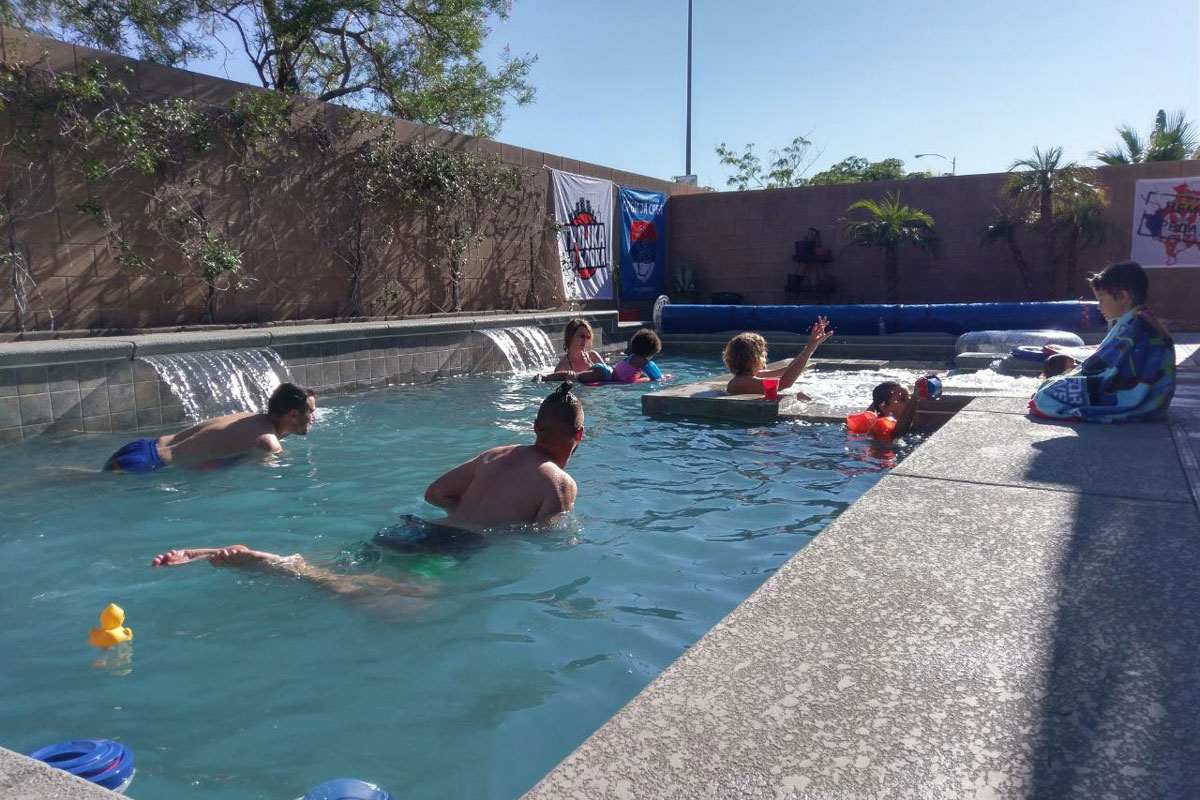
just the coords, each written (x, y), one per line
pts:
(865, 320)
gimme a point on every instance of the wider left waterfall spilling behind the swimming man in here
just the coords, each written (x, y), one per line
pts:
(221, 382)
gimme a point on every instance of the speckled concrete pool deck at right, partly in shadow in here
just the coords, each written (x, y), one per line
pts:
(1013, 612)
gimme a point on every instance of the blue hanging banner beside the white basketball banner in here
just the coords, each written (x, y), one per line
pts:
(644, 274)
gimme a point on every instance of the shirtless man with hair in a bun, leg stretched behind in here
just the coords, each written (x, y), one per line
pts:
(502, 486)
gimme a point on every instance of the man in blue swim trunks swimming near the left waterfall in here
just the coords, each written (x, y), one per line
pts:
(290, 411)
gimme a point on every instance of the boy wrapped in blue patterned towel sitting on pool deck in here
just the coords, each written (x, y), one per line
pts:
(1131, 376)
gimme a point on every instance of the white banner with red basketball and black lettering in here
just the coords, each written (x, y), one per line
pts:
(584, 213)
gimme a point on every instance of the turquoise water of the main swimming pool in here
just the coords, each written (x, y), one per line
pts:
(244, 685)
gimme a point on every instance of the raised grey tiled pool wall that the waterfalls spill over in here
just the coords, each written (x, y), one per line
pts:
(100, 386)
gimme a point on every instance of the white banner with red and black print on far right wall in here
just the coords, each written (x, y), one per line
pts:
(1166, 216)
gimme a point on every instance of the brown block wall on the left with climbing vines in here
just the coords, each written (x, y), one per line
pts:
(279, 231)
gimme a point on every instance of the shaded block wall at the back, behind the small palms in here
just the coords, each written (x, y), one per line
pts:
(743, 242)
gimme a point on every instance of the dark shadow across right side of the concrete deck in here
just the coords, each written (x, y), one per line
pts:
(1123, 677)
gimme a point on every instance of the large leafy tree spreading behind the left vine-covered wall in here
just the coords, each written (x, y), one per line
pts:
(416, 59)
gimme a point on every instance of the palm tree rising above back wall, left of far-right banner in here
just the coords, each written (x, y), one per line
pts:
(1034, 188)
